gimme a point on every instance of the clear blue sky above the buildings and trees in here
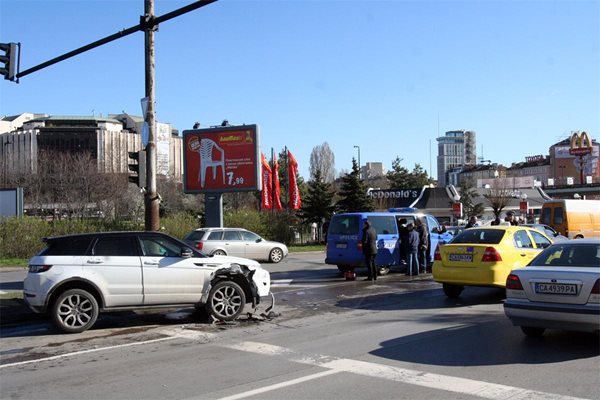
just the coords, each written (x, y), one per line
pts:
(388, 76)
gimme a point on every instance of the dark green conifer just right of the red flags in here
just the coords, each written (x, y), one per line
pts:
(318, 204)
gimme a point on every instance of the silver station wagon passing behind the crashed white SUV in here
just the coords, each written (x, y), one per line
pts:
(236, 242)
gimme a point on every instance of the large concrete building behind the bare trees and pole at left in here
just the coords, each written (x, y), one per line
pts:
(107, 140)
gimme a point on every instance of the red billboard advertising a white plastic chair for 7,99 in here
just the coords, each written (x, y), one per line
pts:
(221, 159)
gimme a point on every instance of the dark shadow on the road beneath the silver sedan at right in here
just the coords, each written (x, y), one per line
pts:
(494, 342)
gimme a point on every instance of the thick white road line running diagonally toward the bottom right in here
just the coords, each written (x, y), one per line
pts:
(453, 384)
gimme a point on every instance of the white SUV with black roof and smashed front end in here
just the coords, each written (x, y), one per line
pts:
(77, 276)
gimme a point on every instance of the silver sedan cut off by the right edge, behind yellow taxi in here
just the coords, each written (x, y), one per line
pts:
(559, 289)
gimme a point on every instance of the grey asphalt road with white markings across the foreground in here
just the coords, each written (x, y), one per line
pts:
(397, 339)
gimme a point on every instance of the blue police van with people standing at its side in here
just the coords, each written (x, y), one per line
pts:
(344, 246)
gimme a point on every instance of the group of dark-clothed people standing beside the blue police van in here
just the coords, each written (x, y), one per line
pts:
(414, 247)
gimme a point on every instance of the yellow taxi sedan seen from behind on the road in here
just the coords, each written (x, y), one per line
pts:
(484, 256)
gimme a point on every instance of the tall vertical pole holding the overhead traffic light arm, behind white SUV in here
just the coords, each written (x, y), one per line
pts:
(151, 200)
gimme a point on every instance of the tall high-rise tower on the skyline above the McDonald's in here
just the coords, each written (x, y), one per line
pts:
(455, 149)
